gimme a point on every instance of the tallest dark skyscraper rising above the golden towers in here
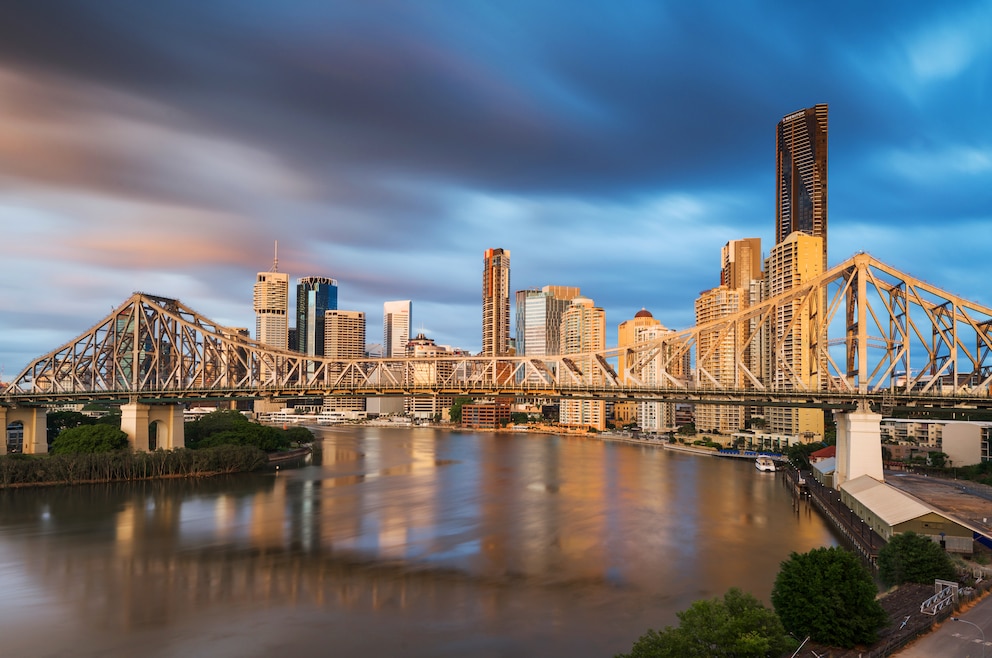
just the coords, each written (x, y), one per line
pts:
(801, 175)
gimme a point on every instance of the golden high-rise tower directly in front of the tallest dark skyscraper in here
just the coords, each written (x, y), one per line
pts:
(792, 263)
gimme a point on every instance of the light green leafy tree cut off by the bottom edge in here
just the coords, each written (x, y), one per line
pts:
(738, 626)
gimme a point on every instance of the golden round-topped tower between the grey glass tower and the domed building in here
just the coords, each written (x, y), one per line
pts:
(583, 330)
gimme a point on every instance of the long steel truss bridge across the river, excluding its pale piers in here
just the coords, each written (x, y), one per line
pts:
(871, 335)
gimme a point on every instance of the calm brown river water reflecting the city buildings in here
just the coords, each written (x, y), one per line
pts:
(400, 542)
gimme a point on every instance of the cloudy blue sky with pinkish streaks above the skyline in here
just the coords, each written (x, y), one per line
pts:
(165, 147)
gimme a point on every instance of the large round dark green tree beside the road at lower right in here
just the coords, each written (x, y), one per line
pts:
(828, 595)
